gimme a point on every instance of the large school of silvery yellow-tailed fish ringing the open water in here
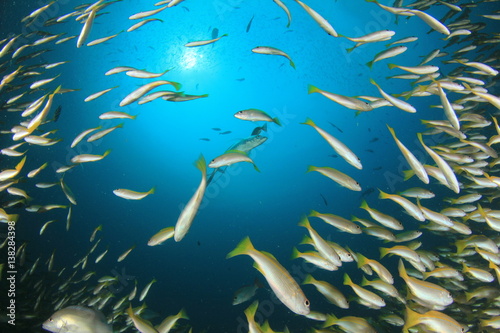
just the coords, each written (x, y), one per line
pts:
(452, 288)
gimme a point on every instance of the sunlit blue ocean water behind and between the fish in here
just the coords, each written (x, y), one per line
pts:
(160, 146)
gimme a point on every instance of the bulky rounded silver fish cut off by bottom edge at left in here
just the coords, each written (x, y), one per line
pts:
(76, 319)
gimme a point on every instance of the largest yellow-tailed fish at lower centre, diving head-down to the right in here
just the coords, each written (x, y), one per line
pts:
(283, 285)
